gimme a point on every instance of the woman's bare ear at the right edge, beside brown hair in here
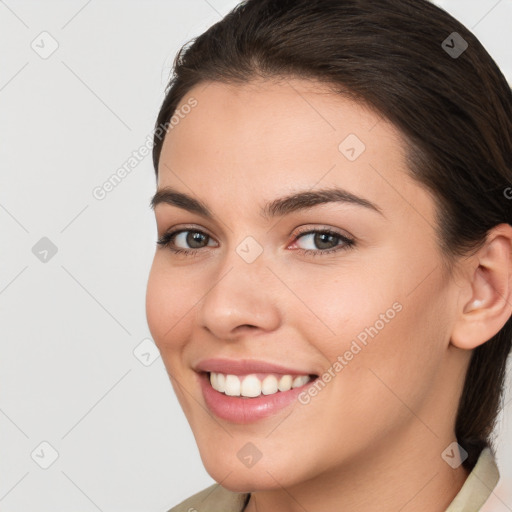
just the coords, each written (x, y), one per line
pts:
(489, 288)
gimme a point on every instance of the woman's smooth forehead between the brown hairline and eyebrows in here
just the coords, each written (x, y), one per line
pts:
(266, 138)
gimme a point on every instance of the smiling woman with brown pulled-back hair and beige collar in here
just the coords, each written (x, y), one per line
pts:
(331, 292)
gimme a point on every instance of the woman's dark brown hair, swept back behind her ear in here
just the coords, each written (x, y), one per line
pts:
(401, 58)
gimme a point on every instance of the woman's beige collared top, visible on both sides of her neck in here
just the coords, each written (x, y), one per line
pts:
(474, 493)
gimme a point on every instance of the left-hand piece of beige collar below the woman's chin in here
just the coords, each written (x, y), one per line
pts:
(214, 498)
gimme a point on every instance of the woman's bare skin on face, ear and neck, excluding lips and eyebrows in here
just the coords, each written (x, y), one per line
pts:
(372, 439)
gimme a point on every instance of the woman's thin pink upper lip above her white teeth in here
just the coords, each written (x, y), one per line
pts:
(245, 366)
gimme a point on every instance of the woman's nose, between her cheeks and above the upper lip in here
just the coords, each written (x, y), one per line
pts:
(242, 298)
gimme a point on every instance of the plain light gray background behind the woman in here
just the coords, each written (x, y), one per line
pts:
(70, 325)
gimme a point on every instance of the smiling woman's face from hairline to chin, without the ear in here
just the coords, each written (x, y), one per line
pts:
(370, 316)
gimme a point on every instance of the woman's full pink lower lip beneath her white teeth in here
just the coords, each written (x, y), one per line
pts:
(246, 410)
